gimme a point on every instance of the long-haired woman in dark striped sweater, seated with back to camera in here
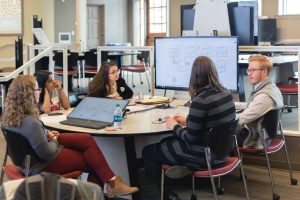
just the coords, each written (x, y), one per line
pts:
(211, 105)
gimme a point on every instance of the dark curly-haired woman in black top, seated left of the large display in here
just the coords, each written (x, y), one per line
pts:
(108, 83)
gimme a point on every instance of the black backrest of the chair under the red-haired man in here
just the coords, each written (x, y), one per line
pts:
(270, 122)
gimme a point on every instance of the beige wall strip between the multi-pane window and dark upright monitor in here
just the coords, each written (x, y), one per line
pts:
(174, 17)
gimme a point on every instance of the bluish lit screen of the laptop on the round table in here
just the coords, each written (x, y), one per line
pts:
(97, 109)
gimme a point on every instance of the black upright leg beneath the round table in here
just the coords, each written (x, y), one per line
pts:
(132, 166)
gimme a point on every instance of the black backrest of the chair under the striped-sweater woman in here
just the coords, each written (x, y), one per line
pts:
(221, 139)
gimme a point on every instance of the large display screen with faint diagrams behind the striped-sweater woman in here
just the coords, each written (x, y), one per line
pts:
(174, 57)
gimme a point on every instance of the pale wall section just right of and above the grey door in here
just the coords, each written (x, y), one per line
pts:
(116, 20)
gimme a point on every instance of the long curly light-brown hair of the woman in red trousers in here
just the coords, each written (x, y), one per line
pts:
(20, 101)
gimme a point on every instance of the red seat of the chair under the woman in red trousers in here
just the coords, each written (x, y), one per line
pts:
(13, 172)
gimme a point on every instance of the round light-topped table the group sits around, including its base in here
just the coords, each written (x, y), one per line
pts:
(122, 148)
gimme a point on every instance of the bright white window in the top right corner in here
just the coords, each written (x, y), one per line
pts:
(289, 7)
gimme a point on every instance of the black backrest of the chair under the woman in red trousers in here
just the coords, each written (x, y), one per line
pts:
(18, 147)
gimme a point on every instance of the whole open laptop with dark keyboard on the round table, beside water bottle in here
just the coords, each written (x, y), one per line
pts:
(95, 113)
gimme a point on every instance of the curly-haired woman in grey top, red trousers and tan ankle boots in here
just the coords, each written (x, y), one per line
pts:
(54, 152)
